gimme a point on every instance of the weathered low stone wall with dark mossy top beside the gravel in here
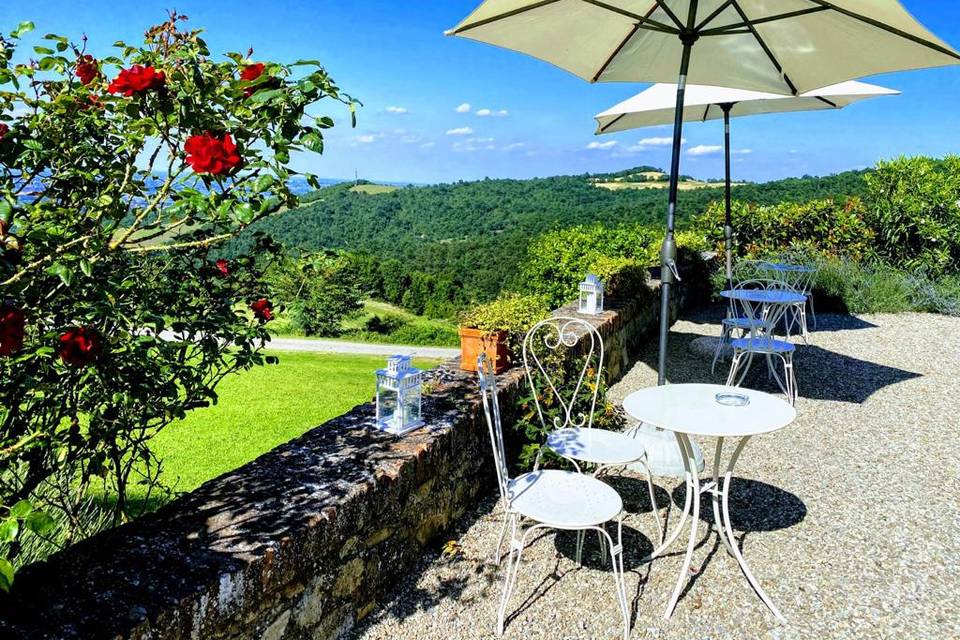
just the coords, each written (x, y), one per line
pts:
(300, 543)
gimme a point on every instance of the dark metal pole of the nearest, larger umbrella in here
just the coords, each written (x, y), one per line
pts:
(668, 251)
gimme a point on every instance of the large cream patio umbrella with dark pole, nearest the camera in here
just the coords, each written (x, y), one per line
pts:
(787, 47)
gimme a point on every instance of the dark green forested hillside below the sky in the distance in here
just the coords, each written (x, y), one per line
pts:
(477, 232)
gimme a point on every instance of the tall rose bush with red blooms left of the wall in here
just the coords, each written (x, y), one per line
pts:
(120, 176)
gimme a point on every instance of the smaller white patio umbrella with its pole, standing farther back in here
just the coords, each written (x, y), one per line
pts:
(656, 105)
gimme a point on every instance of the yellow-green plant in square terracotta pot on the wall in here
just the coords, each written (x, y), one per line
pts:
(497, 328)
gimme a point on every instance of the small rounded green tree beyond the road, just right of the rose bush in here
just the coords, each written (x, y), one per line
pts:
(319, 291)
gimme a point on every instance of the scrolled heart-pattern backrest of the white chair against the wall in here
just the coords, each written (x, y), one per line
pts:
(548, 338)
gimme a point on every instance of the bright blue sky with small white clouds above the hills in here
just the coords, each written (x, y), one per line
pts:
(522, 117)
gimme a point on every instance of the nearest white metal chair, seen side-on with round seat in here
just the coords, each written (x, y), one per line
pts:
(549, 499)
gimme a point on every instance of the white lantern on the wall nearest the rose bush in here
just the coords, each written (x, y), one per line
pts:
(398, 396)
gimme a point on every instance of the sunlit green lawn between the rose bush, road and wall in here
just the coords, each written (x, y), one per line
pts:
(262, 408)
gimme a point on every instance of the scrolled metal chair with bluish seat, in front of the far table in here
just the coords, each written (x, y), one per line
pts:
(763, 314)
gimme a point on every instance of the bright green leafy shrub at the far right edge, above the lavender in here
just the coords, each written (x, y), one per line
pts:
(915, 210)
